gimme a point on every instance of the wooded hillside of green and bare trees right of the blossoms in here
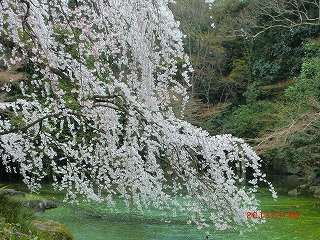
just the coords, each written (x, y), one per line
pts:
(257, 76)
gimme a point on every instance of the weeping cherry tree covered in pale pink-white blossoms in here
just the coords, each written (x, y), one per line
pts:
(96, 111)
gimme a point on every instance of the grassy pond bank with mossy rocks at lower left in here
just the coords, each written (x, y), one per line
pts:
(18, 218)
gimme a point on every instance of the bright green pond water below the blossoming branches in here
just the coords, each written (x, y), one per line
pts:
(93, 221)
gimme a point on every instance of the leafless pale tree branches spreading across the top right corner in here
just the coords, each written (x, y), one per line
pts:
(253, 17)
